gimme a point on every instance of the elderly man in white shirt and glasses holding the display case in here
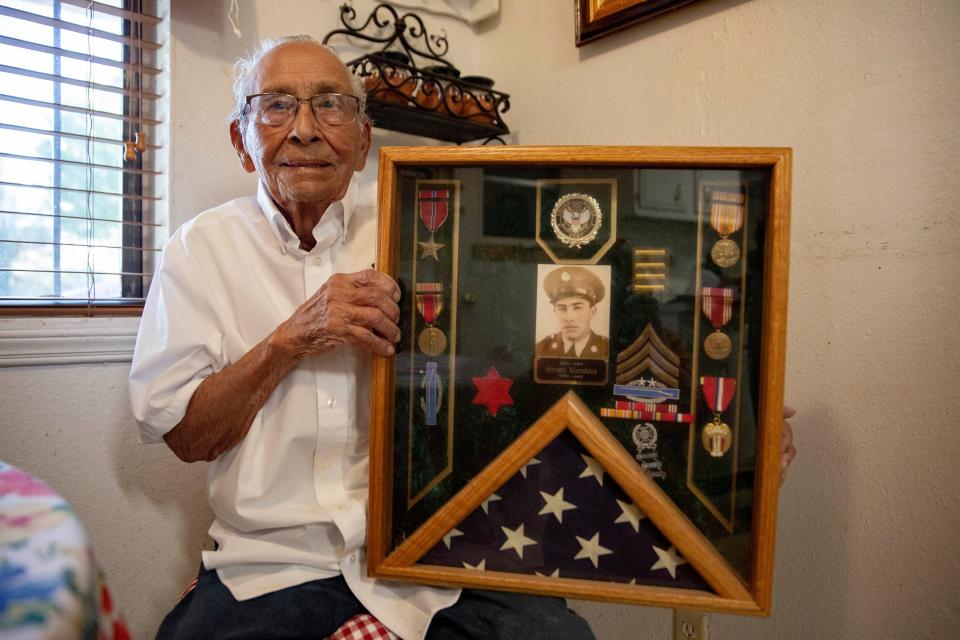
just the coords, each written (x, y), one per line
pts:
(254, 354)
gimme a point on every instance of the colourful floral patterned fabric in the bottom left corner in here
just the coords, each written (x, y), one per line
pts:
(50, 584)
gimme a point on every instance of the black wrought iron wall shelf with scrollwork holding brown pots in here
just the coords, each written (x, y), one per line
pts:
(428, 100)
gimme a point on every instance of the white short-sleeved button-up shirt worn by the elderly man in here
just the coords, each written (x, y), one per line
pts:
(290, 499)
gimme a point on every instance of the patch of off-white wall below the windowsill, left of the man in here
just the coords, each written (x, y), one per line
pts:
(145, 512)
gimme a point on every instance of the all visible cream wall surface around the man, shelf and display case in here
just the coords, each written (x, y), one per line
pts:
(867, 95)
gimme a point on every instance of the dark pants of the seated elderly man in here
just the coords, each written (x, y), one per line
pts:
(316, 609)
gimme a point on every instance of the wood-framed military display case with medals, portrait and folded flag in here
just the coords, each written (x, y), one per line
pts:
(586, 398)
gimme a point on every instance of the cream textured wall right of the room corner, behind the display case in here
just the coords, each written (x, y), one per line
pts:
(868, 95)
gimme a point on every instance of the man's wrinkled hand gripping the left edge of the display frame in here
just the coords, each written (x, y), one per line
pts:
(358, 309)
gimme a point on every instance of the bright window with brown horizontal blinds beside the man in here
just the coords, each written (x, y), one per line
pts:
(79, 174)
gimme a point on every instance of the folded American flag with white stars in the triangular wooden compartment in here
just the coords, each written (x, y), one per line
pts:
(563, 516)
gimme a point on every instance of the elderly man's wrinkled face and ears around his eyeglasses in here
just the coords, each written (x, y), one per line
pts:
(306, 162)
